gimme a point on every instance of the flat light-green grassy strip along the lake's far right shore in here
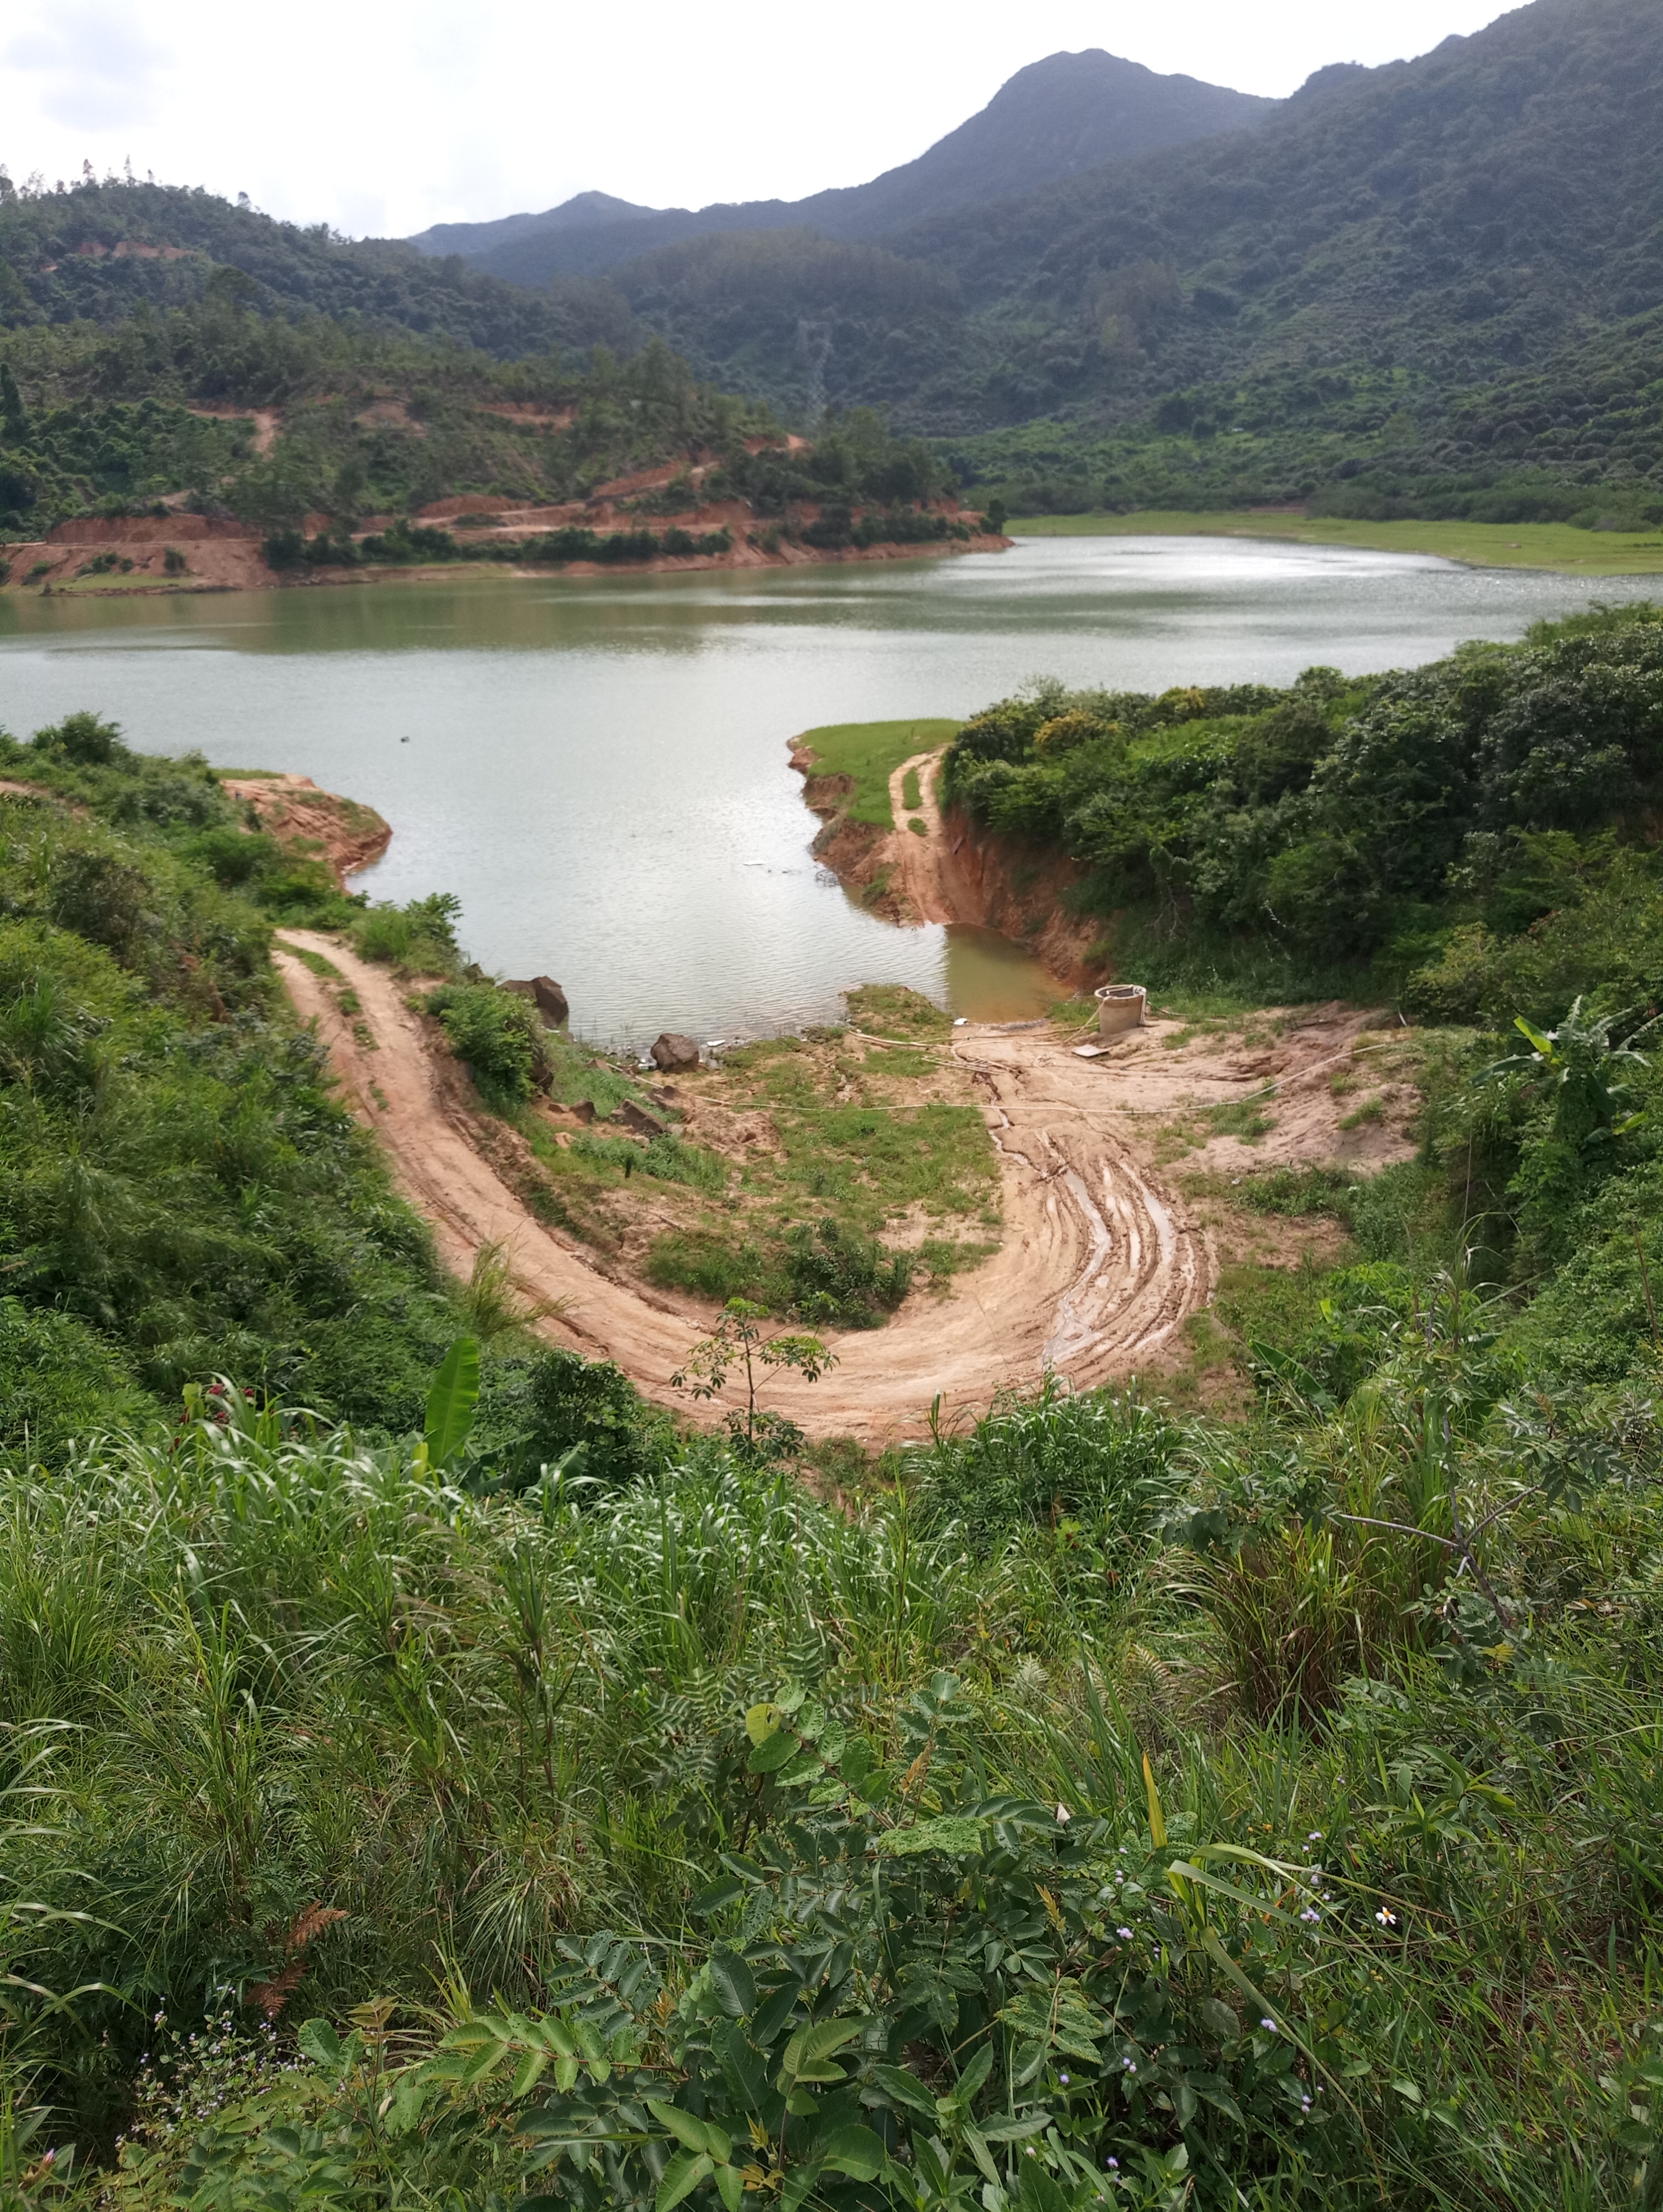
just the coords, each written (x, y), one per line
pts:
(1481, 545)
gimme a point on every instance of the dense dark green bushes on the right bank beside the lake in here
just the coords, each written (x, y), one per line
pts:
(1352, 822)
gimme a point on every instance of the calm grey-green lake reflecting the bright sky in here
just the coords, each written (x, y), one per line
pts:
(598, 766)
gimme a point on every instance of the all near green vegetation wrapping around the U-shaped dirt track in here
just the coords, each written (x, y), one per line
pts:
(519, 1799)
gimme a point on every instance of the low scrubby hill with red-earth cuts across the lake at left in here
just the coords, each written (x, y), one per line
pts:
(233, 406)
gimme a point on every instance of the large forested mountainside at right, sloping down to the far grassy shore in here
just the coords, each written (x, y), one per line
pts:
(1425, 273)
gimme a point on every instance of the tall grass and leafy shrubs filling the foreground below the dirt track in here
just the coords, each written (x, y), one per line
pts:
(1098, 1813)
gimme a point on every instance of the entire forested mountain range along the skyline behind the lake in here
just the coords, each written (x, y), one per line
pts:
(1425, 289)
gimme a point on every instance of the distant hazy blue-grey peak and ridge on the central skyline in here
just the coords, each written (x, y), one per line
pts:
(1063, 116)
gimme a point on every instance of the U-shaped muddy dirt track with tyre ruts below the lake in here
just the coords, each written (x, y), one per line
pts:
(1096, 1273)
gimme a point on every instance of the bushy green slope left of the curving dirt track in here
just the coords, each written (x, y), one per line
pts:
(180, 1191)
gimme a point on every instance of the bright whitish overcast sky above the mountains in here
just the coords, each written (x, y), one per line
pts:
(381, 121)
